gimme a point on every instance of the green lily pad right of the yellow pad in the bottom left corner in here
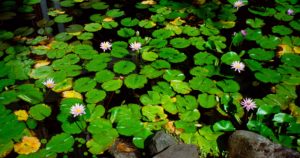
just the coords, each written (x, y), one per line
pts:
(60, 143)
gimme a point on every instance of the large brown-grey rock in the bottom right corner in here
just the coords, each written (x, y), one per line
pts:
(246, 144)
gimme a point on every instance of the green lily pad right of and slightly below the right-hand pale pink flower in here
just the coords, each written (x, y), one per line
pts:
(268, 75)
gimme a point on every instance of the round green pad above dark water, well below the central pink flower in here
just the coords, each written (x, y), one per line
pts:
(135, 81)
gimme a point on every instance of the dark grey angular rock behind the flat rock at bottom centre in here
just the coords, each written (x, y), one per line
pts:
(159, 142)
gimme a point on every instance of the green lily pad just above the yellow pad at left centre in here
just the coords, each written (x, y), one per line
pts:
(84, 84)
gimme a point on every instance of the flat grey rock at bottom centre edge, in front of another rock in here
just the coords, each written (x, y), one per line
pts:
(179, 151)
